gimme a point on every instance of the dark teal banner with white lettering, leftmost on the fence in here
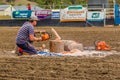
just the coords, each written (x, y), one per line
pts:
(22, 14)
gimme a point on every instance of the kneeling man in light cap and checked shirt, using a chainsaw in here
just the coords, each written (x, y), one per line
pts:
(25, 36)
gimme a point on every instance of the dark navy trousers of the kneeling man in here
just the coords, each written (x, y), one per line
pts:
(28, 48)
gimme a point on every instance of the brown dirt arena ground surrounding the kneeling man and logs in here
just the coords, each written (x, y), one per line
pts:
(13, 67)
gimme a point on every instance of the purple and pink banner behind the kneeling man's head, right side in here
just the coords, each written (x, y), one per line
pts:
(43, 14)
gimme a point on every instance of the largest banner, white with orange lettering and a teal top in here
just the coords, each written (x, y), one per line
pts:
(73, 13)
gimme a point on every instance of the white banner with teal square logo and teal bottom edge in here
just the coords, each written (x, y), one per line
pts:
(95, 15)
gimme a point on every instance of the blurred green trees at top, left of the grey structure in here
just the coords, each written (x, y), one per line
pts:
(57, 3)
